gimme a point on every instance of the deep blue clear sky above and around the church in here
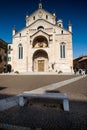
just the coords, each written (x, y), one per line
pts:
(13, 12)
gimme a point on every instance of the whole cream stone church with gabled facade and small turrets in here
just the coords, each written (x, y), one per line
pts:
(43, 45)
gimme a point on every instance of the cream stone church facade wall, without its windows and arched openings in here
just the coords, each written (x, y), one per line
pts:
(53, 34)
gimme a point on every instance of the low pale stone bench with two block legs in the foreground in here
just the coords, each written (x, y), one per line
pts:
(58, 96)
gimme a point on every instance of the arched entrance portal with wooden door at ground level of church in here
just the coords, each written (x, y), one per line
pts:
(40, 61)
